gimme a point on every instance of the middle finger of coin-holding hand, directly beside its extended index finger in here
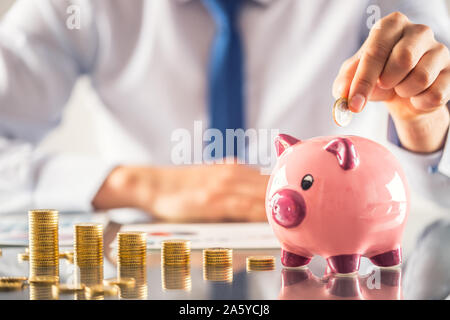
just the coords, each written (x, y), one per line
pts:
(416, 41)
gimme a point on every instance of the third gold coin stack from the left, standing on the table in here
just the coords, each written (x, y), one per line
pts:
(131, 248)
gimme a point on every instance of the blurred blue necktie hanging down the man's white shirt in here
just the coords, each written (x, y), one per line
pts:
(225, 76)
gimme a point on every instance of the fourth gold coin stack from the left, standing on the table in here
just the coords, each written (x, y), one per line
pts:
(175, 252)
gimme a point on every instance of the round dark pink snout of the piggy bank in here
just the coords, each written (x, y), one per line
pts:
(288, 208)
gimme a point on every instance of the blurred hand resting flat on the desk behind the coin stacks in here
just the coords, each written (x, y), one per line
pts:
(228, 192)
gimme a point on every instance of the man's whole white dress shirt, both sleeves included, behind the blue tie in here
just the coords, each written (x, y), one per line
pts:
(148, 60)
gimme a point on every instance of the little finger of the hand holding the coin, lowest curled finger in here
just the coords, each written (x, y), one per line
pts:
(436, 95)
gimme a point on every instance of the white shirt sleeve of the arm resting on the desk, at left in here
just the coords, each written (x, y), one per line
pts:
(42, 53)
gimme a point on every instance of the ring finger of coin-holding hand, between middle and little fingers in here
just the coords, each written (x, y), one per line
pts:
(425, 72)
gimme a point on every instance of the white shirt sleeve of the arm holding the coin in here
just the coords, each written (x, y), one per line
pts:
(428, 175)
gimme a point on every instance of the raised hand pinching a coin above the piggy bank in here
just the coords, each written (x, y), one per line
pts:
(402, 64)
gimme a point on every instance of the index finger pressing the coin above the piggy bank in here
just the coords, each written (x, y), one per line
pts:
(375, 54)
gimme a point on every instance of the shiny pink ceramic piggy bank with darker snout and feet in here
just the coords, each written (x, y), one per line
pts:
(337, 197)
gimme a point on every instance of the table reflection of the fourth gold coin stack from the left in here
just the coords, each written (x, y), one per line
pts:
(176, 277)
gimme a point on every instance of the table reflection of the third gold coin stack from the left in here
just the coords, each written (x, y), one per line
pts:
(140, 289)
